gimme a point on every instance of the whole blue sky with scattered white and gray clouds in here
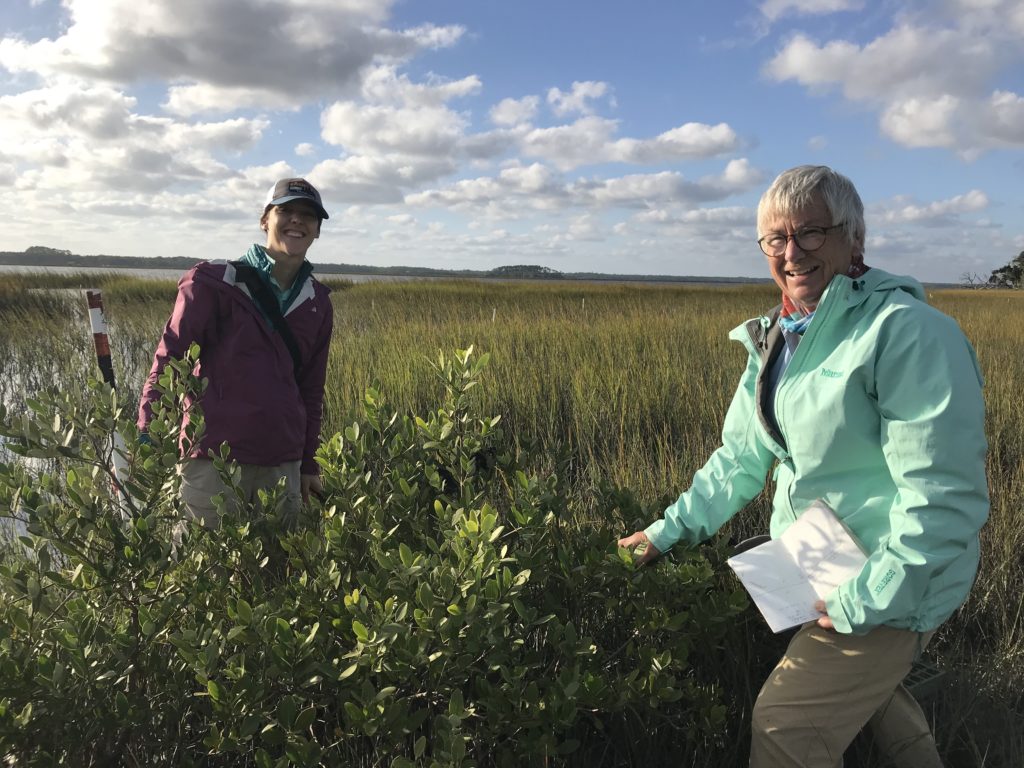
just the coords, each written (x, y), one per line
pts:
(579, 135)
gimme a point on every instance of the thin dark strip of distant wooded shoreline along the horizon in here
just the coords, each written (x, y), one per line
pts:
(44, 257)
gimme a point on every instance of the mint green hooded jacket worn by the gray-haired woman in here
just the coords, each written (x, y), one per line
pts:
(880, 414)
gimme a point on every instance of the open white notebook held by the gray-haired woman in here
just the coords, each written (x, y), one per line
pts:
(787, 576)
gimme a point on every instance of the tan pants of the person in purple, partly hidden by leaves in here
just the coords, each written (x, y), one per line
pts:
(200, 483)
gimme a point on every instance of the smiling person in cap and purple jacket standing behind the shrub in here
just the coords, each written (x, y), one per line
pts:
(266, 393)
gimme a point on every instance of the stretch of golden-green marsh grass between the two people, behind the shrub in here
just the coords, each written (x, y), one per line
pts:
(625, 377)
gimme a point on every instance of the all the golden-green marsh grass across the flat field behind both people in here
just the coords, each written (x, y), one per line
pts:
(622, 386)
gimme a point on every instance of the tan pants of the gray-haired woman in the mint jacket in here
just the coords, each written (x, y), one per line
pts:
(828, 687)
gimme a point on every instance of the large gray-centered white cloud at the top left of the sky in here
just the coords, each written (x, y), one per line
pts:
(230, 54)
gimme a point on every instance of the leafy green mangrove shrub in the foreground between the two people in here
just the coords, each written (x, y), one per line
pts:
(439, 607)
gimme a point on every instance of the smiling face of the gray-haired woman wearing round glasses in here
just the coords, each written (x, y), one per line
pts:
(802, 276)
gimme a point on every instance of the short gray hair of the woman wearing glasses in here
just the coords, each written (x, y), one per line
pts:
(798, 188)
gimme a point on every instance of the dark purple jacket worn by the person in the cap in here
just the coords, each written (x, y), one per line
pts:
(253, 402)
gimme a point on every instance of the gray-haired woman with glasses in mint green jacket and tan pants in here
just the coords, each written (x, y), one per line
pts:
(859, 394)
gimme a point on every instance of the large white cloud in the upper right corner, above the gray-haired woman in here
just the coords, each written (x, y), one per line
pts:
(929, 81)
